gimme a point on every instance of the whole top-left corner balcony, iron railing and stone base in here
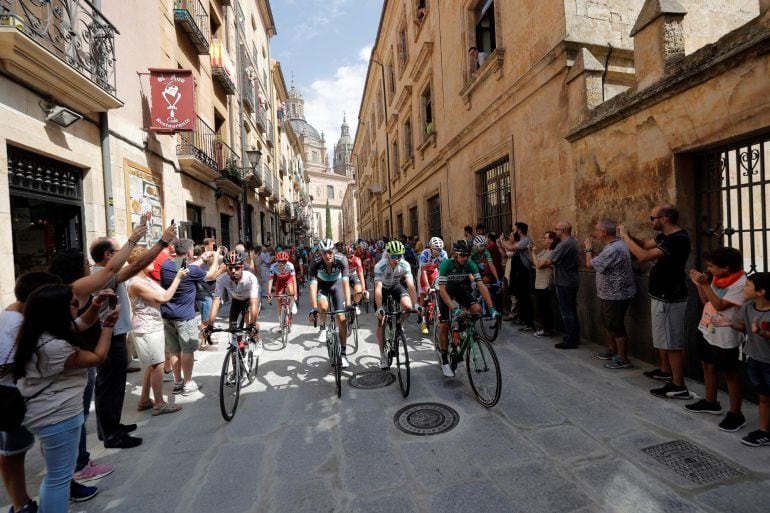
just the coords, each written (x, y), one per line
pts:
(63, 47)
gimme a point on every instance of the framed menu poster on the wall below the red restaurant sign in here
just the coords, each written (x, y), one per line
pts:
(143, 197)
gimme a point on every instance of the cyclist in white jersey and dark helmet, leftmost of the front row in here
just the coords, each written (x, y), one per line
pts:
(243, 287)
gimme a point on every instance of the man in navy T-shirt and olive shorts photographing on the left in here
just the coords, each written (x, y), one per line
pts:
(180, 324)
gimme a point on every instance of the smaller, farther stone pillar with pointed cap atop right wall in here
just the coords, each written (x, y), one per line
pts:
(584, 86)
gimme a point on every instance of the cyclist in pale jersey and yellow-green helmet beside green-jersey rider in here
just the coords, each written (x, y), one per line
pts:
(388, 274)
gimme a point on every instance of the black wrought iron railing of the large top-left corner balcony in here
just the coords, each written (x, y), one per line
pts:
(75, 32)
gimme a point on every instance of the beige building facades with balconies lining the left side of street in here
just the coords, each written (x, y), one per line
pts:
(62, 186)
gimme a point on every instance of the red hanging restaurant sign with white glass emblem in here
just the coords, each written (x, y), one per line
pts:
(173, 100)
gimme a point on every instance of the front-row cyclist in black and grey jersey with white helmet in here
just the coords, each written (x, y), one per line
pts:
(329, 279)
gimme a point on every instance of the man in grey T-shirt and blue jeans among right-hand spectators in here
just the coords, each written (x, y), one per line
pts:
(565, 260)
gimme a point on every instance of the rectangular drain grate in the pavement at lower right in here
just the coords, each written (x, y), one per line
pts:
(692, 462)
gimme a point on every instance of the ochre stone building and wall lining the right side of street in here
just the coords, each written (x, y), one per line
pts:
(602, 108)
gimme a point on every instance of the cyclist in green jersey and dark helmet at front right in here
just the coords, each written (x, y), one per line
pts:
(455, 276)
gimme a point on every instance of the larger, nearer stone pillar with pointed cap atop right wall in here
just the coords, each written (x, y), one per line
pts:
(658, 39)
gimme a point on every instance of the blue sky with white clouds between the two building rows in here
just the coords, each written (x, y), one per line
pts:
(326, 44)
